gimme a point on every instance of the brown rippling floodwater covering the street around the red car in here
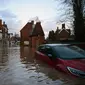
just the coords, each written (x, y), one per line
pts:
(18, 67)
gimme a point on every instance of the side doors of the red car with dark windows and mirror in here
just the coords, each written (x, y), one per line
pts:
(44, 53)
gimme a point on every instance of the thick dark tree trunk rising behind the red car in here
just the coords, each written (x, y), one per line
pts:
(79, 28)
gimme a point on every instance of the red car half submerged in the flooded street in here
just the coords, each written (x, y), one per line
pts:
(64, 57)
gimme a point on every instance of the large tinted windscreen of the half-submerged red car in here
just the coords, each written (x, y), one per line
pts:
(69, 52)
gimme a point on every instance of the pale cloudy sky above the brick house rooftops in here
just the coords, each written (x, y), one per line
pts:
(16, 13)
